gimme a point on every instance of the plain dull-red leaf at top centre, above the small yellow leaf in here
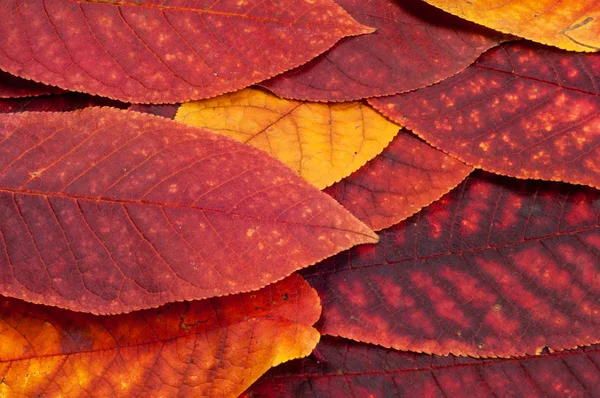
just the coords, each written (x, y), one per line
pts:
(415, 45)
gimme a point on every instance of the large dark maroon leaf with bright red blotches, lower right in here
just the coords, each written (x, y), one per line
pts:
(498, 267)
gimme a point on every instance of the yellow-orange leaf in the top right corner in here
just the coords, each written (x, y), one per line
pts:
(571, 25)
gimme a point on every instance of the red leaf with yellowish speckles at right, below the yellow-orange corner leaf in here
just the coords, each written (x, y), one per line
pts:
(521, 110)
